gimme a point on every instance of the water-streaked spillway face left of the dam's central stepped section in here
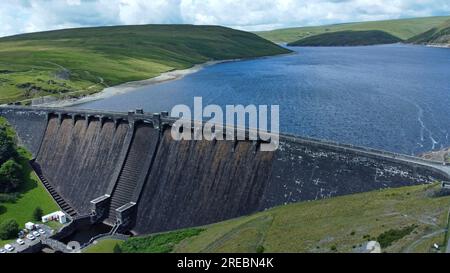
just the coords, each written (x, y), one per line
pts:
(77, 157)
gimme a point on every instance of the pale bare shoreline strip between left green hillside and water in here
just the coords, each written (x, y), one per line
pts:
(126, 87)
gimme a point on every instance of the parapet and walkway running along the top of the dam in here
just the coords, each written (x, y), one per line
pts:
(162, 120)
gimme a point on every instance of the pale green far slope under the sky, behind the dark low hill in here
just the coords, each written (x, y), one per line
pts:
(403, 28)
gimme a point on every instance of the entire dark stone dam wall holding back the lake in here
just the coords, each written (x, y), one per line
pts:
(125, 169)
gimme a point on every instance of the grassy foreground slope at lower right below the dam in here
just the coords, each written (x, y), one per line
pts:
(410, 219)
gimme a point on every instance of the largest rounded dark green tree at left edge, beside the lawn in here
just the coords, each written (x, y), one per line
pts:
(10, 176)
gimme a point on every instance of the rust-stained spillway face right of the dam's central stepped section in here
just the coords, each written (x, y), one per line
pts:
(195, 183)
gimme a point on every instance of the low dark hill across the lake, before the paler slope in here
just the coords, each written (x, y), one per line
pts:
(348, 38)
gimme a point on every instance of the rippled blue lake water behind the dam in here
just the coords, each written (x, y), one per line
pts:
(394, 97)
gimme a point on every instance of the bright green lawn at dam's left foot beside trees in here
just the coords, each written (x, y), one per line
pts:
(32, 194)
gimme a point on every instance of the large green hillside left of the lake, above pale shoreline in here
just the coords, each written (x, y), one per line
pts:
(83, 61)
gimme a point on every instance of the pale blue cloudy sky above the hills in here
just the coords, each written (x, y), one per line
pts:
(22, 16)
